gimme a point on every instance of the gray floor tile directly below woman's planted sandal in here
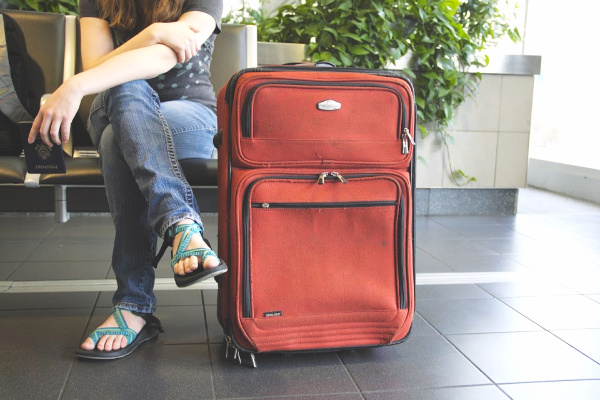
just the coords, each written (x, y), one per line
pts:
(151, 372)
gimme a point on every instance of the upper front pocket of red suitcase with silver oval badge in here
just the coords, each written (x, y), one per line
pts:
(323, 111)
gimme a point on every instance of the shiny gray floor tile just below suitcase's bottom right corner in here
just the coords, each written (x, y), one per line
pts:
(420, 362)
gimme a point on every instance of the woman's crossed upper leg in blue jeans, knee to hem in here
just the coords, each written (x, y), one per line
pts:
(143, 137)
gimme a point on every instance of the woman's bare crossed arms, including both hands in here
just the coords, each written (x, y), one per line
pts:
(145, 56)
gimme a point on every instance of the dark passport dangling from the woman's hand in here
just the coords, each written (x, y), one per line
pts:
(40, 158)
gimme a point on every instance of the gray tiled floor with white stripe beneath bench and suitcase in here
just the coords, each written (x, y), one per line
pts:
(507, 307)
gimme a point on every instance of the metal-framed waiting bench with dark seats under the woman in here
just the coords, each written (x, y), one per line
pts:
(235, 49)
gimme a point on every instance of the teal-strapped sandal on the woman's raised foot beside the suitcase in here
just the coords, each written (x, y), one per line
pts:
(180, 253)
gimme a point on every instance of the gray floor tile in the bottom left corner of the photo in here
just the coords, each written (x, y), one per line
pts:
(34, 376)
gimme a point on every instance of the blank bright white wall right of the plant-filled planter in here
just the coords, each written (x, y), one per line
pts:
(565, 107)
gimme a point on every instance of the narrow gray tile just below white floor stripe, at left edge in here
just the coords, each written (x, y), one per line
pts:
(50, 300)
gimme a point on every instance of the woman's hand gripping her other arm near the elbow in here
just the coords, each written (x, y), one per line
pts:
(180, 37)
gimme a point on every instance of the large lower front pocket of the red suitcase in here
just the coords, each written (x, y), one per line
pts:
(325, 252)
